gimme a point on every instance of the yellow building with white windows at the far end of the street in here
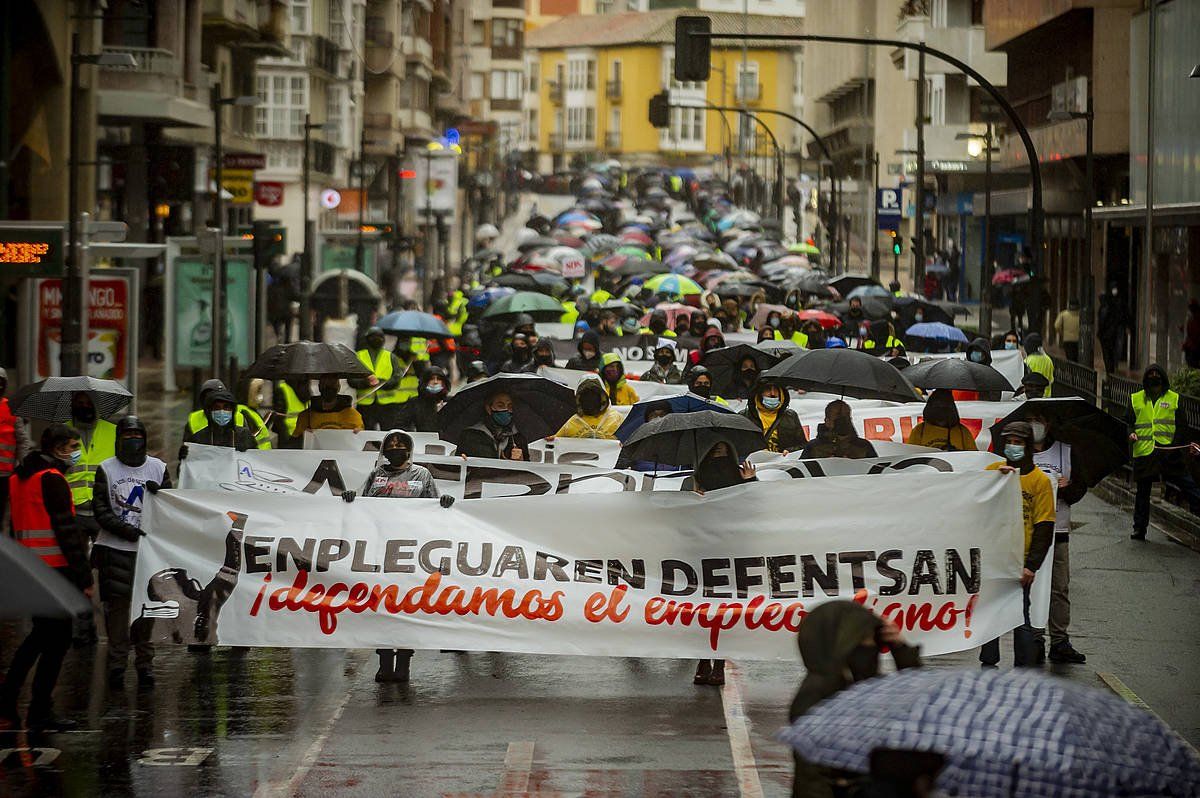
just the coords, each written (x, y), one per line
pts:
(591, 80)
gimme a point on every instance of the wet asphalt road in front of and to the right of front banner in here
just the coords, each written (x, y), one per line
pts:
(314, 723)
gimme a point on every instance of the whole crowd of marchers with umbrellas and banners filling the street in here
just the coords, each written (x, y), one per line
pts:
(655, 340)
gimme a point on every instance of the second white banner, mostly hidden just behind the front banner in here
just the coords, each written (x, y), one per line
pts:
(329, 473)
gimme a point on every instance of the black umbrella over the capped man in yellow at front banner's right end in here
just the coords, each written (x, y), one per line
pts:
(1100, 439)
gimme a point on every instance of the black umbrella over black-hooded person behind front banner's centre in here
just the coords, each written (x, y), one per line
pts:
(683, 439)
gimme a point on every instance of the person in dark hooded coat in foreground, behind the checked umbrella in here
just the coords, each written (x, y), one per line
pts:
(841, 645)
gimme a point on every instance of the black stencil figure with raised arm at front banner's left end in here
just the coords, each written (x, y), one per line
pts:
(185, 613)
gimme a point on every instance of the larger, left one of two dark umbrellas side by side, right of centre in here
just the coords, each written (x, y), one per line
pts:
(844, 371)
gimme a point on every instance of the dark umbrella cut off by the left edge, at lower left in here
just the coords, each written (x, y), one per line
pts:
(31, 589)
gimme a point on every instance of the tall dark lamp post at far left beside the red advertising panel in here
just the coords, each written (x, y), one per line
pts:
(74, 307)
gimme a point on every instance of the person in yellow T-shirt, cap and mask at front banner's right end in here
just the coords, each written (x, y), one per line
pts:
(1039, 512)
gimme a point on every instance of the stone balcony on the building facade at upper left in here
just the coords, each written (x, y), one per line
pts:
(153, 91)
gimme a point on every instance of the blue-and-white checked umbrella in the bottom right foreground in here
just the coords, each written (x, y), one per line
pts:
(1003, 734)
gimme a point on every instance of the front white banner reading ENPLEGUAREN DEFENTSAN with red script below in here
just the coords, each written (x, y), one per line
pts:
(731, 574)
